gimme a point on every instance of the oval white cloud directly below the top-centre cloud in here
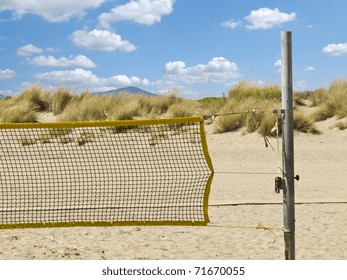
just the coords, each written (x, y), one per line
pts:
(101, 40)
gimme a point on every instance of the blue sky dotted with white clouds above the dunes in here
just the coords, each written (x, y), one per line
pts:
(200, 47)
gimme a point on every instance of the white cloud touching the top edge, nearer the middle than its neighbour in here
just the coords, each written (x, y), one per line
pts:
(141, 11)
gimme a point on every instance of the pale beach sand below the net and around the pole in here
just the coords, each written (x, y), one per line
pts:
(241, 198)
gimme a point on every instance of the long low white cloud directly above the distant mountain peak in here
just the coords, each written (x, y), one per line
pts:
(80, 78)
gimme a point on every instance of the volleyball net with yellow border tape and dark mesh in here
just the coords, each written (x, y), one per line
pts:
(143, 172)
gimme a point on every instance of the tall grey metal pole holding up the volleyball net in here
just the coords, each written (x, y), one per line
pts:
(288, 147)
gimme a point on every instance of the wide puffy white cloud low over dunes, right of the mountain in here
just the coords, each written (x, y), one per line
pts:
(217, 70)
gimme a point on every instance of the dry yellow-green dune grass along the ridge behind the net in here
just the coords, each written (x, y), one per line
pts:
(251, 103)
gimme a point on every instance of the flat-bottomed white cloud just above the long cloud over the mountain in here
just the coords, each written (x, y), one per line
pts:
(50, 61)
